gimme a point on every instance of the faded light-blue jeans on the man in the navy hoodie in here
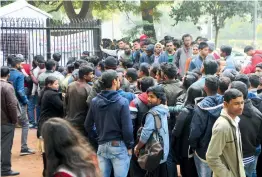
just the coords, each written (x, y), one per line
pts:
(115, 156)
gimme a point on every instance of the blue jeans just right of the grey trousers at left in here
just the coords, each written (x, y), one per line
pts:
(32, 106)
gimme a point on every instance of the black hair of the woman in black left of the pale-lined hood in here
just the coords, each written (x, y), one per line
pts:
(193, 92)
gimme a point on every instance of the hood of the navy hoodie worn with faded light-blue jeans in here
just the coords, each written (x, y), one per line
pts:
(105, 98)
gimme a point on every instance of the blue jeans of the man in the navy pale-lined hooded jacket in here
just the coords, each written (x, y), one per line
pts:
(203, 169)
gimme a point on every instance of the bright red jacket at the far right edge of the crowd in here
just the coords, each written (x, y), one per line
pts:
(256, 58)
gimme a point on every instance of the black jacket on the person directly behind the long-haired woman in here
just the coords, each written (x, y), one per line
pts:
(51, 106)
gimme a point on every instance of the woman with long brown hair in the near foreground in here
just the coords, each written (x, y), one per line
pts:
(67, 152)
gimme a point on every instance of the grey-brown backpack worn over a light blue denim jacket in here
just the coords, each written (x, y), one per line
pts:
(153, 152)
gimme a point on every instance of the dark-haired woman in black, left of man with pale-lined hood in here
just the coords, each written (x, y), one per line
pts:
(181, 133)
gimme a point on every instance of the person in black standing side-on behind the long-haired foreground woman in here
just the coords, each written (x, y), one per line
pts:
(51, 105)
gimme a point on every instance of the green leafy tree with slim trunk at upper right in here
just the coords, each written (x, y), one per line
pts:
(218, 10)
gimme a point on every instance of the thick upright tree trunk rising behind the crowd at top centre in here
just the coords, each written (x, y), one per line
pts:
(147, 17)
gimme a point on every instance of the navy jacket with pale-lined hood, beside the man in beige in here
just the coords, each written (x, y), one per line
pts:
(206, 113)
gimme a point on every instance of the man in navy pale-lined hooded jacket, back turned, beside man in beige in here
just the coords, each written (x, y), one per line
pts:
(205, 114)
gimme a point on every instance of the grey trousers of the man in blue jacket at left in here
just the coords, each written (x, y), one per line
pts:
(23, 120)
